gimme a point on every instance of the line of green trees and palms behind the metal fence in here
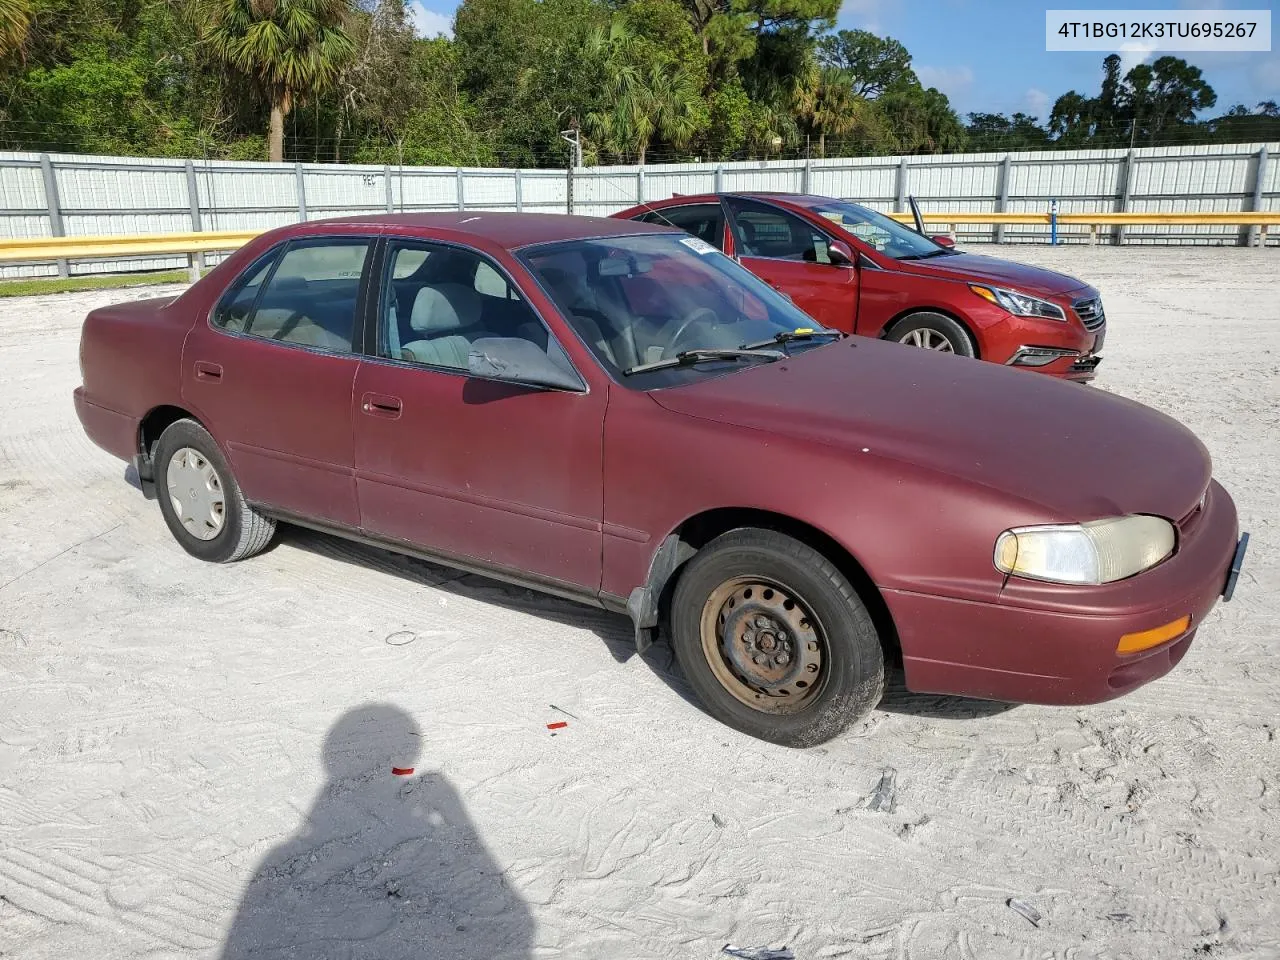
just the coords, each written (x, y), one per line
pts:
(641, 80)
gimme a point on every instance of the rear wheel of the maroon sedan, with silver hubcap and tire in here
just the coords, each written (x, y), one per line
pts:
(202, 501)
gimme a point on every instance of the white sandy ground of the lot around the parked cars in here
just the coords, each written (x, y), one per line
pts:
(185, 749)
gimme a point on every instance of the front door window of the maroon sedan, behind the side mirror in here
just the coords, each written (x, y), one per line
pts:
(437, 301)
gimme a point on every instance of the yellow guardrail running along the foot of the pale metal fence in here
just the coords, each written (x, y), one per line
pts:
(112, 248)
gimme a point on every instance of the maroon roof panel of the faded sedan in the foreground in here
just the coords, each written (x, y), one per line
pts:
(506, 230)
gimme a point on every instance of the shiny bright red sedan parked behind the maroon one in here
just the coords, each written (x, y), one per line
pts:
(861, 272)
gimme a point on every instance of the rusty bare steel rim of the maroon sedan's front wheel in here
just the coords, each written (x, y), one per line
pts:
(764, 644)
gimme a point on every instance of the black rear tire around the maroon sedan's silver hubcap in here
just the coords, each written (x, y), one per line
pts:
(244, 531)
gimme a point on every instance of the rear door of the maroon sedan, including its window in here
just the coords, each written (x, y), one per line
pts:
(271, 377)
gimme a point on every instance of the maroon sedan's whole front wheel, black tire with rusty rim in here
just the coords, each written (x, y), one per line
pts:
(852, 674)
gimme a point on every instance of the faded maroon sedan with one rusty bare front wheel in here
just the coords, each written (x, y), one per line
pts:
(620, 414)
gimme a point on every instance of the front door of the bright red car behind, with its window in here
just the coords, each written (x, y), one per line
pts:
(790, 254)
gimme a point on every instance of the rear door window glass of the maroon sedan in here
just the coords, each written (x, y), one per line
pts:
(308, 296)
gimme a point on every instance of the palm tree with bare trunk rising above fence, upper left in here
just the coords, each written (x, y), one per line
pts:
(291, 48)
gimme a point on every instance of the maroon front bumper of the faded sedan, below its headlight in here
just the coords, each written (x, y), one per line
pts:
(1064, 650)
